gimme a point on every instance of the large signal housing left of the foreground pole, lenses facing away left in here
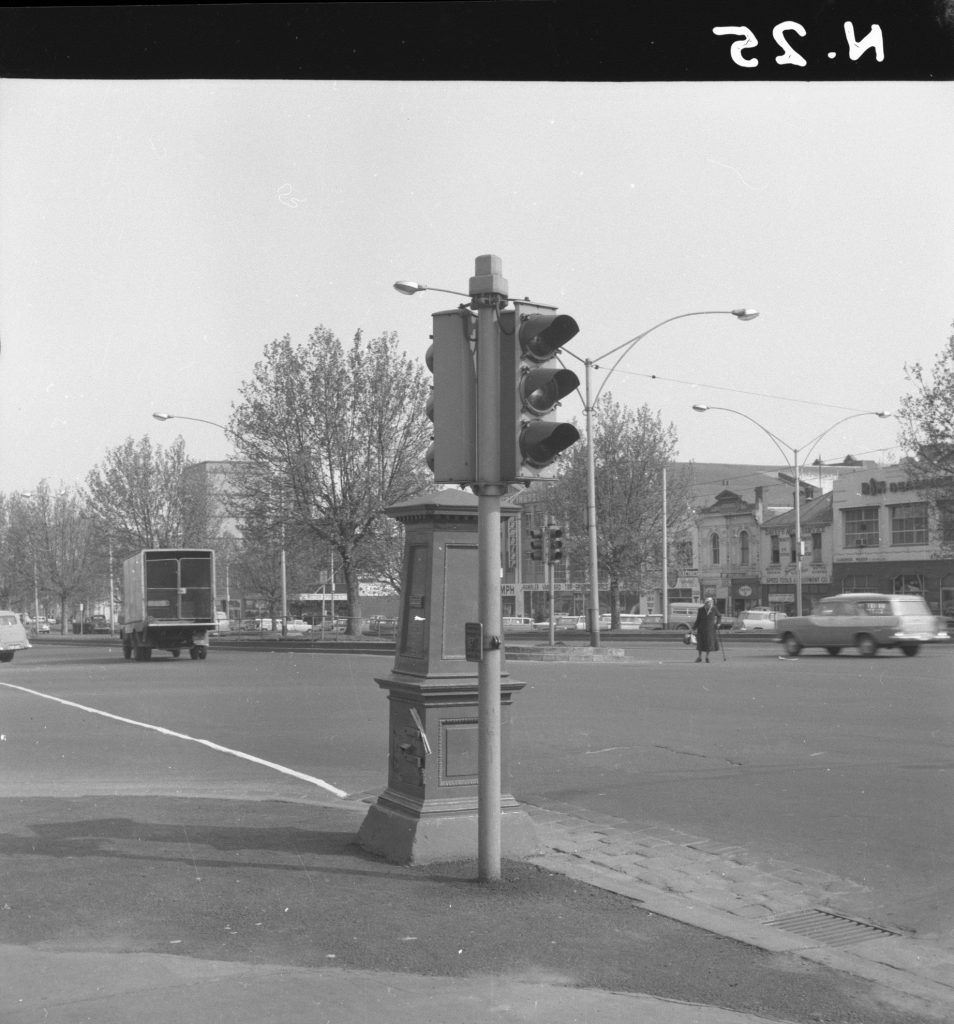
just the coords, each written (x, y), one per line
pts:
(453, 403)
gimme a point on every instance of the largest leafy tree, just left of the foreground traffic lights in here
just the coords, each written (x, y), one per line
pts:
(332, 438)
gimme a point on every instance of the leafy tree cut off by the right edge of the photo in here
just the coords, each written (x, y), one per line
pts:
(927, 418)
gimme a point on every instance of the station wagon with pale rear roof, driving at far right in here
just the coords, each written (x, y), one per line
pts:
(866, 622)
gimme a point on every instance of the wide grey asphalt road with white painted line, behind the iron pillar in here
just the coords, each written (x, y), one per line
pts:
(842, 765)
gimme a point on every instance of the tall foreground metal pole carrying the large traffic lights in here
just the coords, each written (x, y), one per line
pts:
(489, 291)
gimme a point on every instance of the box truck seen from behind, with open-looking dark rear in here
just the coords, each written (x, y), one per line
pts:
(168, 603)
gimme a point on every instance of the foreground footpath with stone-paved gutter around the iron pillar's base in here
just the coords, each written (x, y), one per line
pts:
(159, 909)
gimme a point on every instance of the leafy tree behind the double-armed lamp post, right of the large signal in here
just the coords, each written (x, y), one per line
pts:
(631, 451)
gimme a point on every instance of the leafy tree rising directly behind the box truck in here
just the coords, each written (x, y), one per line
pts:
(142, 499)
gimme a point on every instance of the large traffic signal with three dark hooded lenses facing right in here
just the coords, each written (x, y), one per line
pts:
(533, 386)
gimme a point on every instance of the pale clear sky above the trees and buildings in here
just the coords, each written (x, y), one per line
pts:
(156, 236)
